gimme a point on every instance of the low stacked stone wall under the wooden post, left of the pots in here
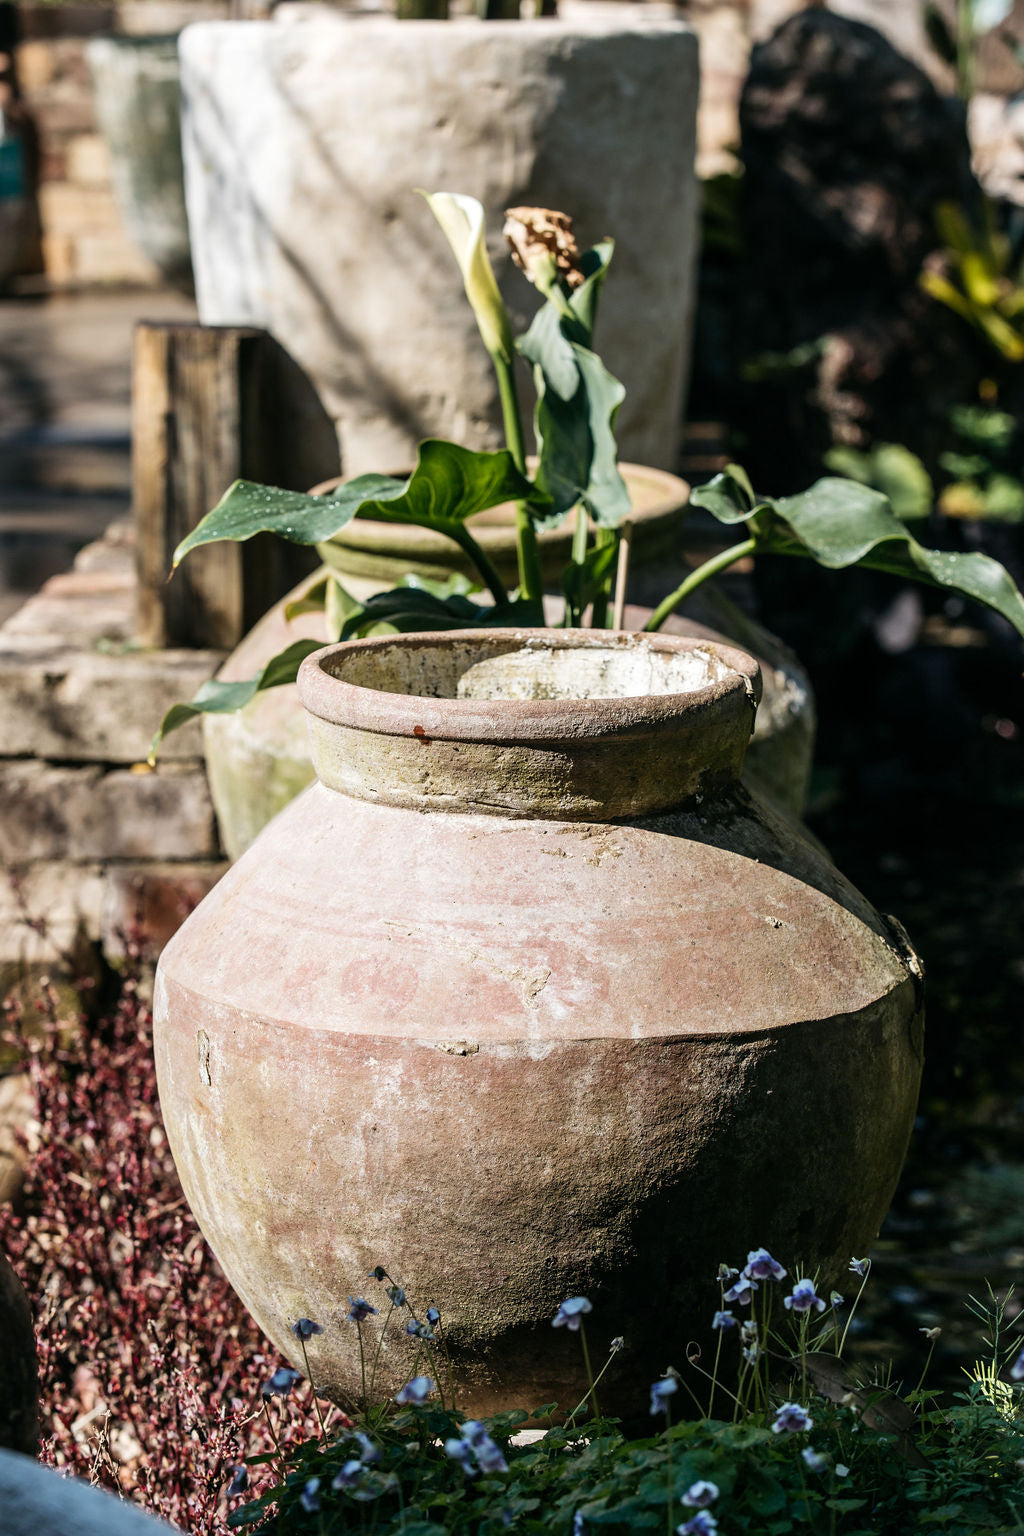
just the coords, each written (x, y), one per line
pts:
(96, 847)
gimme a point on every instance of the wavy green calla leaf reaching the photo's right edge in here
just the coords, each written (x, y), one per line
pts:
(839, 525)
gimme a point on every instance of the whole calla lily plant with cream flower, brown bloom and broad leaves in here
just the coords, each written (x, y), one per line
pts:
(836, 523)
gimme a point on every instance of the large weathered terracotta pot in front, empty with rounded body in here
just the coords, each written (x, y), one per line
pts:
(527, 998)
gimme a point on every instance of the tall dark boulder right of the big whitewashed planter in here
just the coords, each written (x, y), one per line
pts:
(848, 148)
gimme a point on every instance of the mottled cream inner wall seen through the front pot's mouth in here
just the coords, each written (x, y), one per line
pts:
(540, 669)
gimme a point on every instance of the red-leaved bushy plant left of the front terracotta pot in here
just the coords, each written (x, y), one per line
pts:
(151, 1369)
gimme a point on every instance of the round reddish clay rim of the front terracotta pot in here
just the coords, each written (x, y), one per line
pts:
(335, 701)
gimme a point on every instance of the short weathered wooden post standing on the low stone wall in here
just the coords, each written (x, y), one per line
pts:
(213, 405)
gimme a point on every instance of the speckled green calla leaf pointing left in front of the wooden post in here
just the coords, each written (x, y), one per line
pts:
(448, 486)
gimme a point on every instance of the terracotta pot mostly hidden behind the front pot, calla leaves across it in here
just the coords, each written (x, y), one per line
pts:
(259, 760)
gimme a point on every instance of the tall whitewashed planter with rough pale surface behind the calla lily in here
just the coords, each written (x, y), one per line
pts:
(306, 139)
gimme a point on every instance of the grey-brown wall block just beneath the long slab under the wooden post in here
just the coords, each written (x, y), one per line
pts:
(51, 812)
